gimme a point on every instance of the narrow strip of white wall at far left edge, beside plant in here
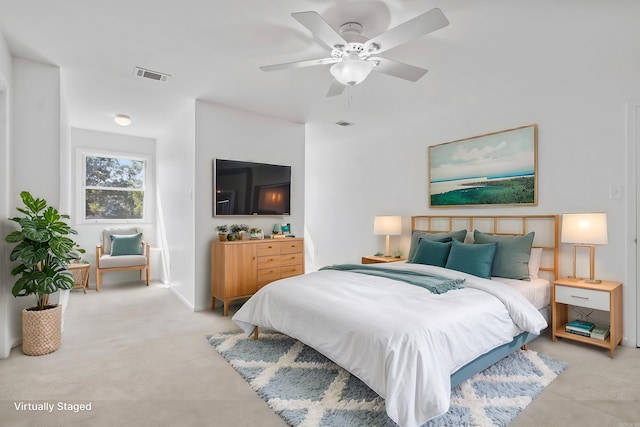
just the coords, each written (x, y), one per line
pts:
(6, 304)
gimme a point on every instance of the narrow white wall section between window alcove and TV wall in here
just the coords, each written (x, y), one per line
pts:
(176, 217)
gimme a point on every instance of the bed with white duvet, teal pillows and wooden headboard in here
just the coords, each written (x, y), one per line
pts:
(410, 344)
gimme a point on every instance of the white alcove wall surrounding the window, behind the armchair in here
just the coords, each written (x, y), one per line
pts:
(89, 234)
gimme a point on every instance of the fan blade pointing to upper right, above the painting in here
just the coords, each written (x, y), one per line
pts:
(410, 30)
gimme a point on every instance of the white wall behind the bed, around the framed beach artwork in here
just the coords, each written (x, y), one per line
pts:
(571, 73)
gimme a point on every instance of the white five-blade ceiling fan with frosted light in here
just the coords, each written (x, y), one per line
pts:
(354, 56)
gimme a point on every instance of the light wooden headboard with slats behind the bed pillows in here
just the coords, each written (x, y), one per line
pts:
(546, 228)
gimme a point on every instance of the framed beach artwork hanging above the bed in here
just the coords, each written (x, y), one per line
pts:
(498, 168)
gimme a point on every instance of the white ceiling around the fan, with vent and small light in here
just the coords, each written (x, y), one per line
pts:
(213, 50)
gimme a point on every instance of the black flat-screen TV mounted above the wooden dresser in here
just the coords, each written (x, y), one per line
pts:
(248, 188)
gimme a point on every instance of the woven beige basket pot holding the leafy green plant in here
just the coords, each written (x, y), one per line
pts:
(41, 330)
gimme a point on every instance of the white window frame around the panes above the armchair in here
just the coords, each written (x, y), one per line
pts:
(81, 161)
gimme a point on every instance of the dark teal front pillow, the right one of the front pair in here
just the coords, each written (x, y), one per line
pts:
(472, 258)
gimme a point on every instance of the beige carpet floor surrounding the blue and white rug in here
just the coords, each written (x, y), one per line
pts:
(140, 358)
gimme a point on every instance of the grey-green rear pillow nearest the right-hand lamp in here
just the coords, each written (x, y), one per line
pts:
(512, 254)
